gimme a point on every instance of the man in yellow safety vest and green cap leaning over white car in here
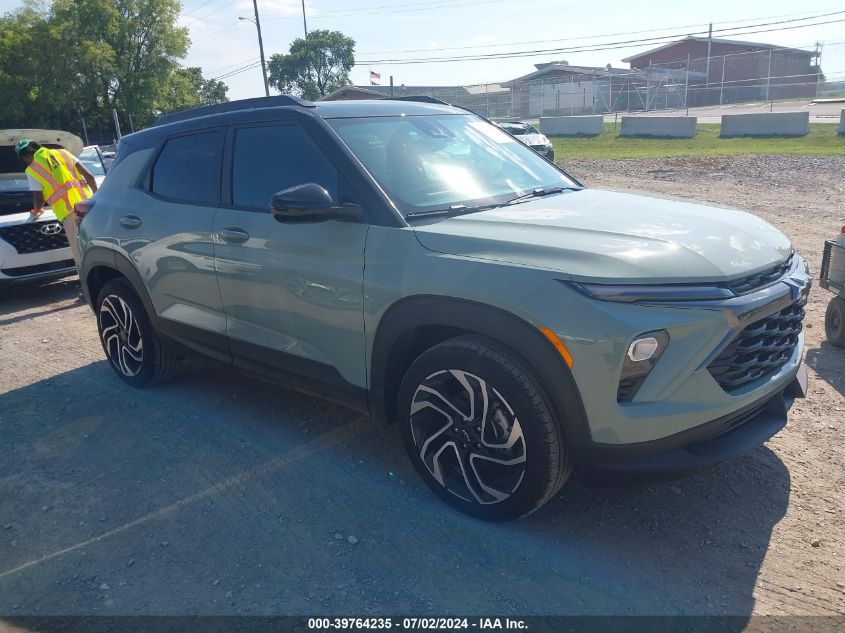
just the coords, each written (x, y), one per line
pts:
(56, 178)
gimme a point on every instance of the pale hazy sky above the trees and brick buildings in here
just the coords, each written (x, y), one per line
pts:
(404, 29)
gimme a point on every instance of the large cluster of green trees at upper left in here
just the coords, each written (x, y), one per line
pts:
(61, 60)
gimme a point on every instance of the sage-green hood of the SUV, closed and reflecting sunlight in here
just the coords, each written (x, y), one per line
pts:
(612, 236)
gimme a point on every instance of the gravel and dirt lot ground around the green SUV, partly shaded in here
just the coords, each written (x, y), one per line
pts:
(218, 495)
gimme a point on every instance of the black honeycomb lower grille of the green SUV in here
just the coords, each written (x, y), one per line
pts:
(761, 349)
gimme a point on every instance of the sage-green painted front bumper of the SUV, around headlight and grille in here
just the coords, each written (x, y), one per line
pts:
(680, 395)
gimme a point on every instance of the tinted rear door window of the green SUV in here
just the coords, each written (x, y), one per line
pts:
(186, 169)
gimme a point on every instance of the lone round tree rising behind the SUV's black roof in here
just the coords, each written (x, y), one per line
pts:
(314, 67)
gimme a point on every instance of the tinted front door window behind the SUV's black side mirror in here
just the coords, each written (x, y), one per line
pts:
(268, 159)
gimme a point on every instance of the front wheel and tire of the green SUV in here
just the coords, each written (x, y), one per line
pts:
(480, 430)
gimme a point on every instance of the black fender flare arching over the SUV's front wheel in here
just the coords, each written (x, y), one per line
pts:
(466, 316)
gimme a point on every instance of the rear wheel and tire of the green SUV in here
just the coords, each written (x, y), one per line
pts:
(134, 351)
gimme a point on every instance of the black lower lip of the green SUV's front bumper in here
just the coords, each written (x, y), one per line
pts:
(705, 445)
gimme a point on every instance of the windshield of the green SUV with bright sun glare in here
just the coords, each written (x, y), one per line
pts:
(439, 162)
